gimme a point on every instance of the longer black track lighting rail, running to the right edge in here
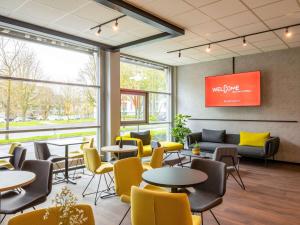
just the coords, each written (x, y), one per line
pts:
(243, 37)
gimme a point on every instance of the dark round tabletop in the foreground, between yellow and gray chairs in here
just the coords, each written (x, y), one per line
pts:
(174, 178)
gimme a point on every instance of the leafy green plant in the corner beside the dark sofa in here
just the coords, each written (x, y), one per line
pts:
(180, 129)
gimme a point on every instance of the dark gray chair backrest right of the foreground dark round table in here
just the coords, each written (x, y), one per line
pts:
(216, 172)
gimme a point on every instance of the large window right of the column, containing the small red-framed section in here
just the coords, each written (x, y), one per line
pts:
(145, 98)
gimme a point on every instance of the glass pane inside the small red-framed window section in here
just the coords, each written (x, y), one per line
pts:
(132, 107)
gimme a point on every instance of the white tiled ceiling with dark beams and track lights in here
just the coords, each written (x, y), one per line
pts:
(204, 21)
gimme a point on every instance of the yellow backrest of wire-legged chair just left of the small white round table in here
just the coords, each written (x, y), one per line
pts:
(92, 159)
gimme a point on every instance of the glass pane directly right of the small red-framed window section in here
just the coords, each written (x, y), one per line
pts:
(159, 108)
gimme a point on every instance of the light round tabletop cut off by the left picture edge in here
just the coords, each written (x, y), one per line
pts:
(10, 180)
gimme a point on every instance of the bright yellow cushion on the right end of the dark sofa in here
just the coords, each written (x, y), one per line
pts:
(253, 139)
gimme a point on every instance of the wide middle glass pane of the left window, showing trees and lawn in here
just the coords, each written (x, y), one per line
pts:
(29, 105)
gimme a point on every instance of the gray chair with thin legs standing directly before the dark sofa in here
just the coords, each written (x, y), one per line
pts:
(229, 156)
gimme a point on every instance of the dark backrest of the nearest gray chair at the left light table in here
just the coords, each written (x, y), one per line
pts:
(43, 180)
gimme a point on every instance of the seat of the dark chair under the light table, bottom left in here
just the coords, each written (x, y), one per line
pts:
(13, 202)
